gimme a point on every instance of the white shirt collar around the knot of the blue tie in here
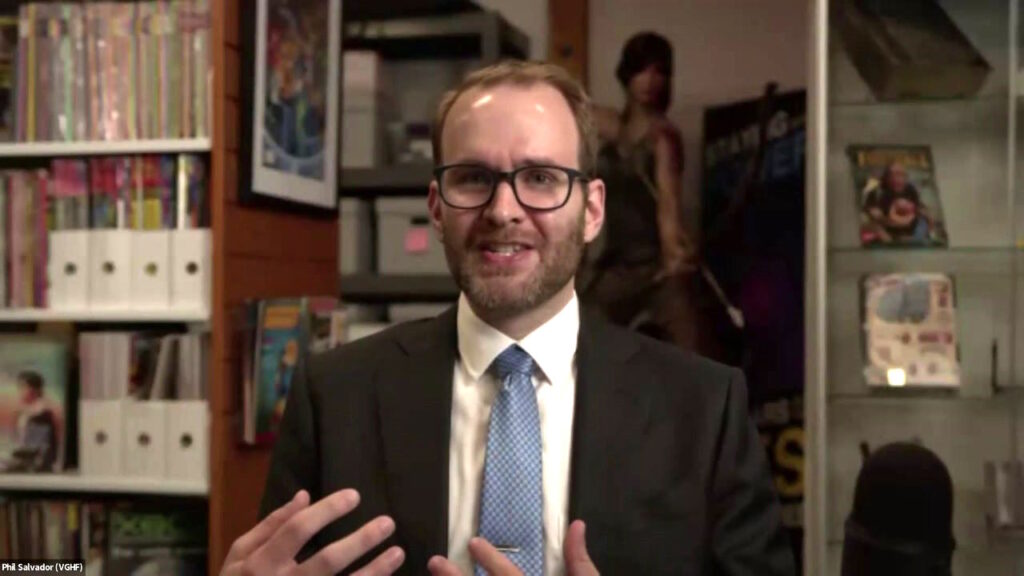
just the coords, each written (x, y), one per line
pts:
(552, 346)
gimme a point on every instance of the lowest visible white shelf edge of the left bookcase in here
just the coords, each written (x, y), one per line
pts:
(74, 482)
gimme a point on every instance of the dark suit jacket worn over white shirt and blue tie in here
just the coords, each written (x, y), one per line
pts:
(667, 469)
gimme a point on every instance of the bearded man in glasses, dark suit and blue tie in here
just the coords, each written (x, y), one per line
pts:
(514, 432)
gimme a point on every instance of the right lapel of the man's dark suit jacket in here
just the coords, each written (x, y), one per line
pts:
(610, 420)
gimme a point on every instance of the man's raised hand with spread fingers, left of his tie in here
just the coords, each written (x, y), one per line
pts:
(272, 546)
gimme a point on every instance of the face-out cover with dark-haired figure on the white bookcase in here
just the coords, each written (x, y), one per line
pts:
(33, 404)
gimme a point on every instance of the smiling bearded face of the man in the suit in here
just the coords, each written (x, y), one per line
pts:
(507, 259)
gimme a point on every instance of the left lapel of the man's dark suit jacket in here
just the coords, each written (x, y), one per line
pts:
(415, 403)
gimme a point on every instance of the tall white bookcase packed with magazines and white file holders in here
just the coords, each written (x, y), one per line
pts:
(109, 149)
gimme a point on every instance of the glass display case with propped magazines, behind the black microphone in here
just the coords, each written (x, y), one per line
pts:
(915, 256)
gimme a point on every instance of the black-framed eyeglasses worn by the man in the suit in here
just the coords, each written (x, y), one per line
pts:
(536, 187)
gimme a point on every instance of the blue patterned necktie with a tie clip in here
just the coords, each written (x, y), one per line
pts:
(511, 501)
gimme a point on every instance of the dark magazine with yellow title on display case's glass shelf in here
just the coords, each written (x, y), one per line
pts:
(898, 196)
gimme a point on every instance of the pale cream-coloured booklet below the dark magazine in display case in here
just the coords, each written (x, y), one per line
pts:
(911, 331)
